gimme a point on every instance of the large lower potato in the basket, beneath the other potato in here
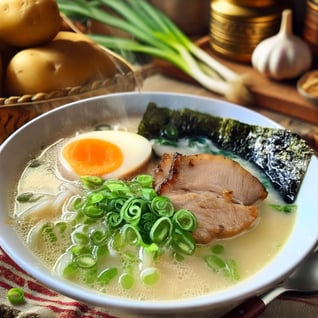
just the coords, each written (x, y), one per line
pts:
(69, 60)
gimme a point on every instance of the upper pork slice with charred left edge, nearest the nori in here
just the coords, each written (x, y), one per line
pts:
(207, 172)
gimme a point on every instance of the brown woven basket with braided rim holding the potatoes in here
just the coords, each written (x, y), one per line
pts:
(15, 111)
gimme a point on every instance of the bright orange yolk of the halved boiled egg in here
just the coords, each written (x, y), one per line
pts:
(93, 157)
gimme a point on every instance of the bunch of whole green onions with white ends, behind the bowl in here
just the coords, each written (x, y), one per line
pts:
(153, 33)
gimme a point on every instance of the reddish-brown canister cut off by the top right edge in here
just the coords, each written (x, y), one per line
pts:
(310, 32)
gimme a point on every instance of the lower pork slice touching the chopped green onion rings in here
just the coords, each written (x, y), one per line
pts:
(217, 217)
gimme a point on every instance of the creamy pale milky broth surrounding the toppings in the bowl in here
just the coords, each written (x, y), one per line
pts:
(251, 250)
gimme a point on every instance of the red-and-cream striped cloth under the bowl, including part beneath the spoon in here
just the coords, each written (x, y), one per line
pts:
(43, 302)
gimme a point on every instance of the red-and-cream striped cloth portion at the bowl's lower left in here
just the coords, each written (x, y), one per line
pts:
(40, 301)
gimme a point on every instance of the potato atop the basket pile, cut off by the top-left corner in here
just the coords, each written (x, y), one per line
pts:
(26, 23)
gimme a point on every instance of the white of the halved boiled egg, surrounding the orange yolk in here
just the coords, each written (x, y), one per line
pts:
(135, 148)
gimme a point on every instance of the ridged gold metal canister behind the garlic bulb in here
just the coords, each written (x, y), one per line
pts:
(236, 29)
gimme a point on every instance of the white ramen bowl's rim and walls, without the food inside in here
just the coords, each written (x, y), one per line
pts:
(46, 129)
